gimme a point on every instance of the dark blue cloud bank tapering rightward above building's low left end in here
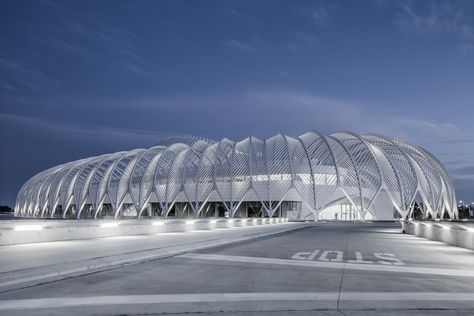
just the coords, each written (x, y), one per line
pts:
(30, 145)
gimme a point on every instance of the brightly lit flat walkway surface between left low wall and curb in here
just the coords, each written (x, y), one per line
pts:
(26, 256)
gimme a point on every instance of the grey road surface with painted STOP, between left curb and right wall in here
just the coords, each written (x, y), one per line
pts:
(333, 269)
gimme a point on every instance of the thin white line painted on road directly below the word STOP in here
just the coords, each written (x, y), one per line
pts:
(331, 265)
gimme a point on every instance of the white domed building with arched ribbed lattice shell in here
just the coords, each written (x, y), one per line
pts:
(341, 176)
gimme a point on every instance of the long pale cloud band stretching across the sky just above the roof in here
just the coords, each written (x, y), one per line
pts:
(291, 112)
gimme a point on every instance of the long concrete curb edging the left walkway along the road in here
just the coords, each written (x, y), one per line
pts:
(13, 280)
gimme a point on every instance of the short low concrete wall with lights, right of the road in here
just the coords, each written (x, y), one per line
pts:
(453, 233)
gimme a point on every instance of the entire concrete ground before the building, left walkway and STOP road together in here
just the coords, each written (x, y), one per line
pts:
(282, 269)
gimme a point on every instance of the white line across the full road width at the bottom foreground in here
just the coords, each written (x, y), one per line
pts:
(62, 302)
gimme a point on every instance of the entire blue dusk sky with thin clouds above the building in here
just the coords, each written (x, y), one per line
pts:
(83, 78)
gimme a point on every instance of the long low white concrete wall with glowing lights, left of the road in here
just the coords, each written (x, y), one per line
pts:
(33, 231)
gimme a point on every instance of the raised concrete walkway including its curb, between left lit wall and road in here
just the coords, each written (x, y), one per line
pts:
(30, 264)
